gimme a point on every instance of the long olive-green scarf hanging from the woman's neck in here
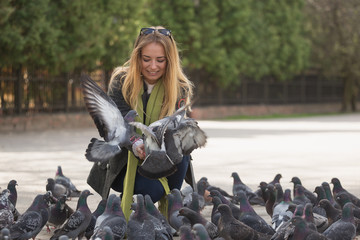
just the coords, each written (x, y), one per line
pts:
(153, 109)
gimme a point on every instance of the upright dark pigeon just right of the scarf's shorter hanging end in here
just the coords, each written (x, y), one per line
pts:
(174, 205)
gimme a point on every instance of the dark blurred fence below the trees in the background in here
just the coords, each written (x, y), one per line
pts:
(26, 94)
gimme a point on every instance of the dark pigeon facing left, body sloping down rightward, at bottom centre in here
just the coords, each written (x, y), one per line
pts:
(195, 217)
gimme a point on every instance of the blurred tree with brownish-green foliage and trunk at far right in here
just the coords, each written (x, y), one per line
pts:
(334, 33)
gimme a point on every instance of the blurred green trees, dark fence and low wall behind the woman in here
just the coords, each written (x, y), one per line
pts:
(245, 57)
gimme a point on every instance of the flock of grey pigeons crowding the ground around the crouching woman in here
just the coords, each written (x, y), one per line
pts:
(296, 213)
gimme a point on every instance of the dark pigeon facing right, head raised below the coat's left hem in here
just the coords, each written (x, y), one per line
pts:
(76, 224)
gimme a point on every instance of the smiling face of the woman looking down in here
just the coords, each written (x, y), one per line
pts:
(153, 62)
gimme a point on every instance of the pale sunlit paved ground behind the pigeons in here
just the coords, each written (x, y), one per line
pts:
(315, 149)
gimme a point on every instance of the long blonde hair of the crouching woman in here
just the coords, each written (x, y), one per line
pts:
(174, 80)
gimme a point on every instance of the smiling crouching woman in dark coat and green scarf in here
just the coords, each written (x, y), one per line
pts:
(151, 82)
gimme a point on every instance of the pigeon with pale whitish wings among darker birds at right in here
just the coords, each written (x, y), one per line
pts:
(280, 212)
